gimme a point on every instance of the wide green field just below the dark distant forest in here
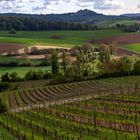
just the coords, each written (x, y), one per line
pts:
(69, 38)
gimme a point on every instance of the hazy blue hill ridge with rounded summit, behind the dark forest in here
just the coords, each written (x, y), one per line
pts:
(82, 16)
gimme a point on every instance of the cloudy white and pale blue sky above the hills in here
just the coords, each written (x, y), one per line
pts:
(108, 7)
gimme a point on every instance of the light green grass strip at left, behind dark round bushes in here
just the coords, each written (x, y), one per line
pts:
(21, 70)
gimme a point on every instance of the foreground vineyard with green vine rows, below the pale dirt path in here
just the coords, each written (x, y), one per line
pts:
(108, 117)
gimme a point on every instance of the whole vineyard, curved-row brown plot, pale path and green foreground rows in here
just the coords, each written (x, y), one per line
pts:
(77, 111)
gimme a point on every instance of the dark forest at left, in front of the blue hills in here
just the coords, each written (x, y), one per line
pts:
(33, 24)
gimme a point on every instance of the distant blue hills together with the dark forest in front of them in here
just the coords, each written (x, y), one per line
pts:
(81, 20)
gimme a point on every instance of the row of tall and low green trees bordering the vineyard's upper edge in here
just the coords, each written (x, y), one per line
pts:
(87, 64)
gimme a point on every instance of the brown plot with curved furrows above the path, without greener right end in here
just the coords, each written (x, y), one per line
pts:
(54, 93)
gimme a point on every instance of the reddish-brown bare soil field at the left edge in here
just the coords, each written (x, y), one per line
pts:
(5, 47)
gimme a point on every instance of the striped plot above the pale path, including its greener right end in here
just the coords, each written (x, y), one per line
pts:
(43, 94)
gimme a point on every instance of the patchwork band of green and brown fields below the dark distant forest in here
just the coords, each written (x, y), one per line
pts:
(67, 39)
